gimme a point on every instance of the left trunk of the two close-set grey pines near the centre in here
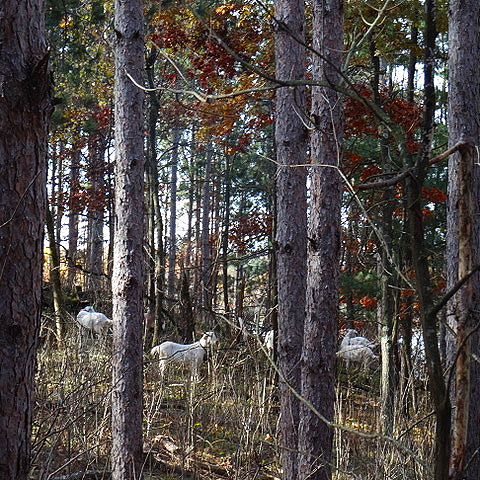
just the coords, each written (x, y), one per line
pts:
(291, 150)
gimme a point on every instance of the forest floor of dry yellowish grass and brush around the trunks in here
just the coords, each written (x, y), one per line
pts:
(223, 427)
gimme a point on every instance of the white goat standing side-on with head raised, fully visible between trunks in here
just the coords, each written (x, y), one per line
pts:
(191, 354)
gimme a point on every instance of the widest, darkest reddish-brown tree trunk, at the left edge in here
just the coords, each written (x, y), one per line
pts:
(25, 108)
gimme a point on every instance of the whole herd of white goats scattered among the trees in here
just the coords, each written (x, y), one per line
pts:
(353, 349)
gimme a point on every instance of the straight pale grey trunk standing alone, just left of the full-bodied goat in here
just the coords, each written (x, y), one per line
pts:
(127, 280)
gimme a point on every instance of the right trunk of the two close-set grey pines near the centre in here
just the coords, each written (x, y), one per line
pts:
(324, 232)
